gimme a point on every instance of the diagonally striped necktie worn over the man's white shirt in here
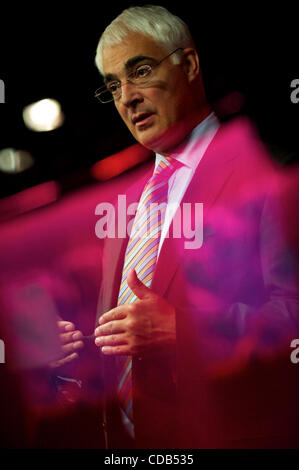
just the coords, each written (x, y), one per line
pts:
(141, 255)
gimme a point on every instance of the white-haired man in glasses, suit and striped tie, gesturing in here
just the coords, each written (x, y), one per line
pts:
(187, 335)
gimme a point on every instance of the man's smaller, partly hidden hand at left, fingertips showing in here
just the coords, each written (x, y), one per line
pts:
(70, 343)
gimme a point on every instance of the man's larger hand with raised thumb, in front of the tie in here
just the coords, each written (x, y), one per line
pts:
(137, 328)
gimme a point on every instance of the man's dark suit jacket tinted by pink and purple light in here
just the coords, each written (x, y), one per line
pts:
(229, 382)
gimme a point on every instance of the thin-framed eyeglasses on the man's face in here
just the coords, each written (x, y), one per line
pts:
(140, 76)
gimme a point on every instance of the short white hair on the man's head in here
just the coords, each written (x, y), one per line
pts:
(152, 20)
